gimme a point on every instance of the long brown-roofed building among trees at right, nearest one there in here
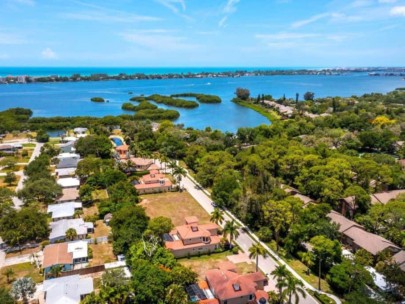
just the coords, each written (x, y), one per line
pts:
(356, 237)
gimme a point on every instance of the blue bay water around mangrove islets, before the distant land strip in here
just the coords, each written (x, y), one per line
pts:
(73, 98)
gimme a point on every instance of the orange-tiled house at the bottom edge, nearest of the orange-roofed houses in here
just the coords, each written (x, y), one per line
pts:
(229, 287)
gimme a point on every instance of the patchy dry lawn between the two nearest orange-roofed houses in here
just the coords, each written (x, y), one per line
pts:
(206, 262)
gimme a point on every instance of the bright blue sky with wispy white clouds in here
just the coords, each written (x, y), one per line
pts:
(309, 33)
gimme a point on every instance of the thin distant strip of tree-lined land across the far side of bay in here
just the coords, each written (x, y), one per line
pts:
(375, 72)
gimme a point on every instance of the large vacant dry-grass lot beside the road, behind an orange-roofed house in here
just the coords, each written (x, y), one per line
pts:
(174, 205)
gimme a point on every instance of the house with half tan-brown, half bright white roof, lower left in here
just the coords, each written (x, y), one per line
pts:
(67, 255)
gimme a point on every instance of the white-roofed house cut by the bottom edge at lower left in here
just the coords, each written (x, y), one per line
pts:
(67, 290)
